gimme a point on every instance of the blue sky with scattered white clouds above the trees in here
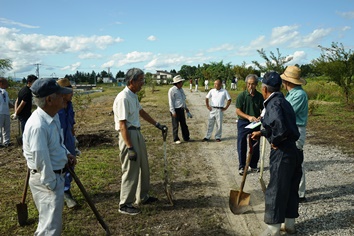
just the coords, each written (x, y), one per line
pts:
(67, 36)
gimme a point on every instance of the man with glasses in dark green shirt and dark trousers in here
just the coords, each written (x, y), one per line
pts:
(249, 105)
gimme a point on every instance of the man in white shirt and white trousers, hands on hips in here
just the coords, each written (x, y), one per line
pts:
(215, 102)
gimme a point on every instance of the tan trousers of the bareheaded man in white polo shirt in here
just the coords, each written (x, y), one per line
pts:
(135, 174)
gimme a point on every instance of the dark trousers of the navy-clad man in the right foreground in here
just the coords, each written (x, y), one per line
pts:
(281, 197)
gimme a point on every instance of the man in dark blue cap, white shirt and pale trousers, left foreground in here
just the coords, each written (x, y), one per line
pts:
(46, 155)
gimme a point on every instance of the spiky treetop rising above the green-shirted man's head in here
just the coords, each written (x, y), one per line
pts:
(272, 62)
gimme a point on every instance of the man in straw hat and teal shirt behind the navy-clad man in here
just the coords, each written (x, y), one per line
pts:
(298, 99)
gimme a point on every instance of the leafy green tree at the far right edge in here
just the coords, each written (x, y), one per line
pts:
(338, 64)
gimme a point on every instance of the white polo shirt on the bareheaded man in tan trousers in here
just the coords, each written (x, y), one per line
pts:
(126, 107)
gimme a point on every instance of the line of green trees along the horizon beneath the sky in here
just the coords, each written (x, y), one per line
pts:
(335, 62)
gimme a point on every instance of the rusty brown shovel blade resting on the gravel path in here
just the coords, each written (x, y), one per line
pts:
(239, 202)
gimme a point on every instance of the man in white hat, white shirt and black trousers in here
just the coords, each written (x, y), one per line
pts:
(177, 103)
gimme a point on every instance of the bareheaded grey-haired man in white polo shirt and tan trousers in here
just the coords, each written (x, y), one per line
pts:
(135, 183)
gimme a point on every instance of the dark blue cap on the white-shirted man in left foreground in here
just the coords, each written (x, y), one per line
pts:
(47, 86)
